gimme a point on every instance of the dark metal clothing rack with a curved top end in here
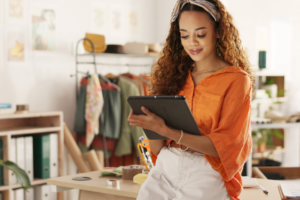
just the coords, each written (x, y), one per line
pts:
(95, 63)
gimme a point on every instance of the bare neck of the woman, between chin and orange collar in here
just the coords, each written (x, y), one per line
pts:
(212, 62)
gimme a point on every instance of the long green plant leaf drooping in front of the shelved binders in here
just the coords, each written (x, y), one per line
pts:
(21, 175)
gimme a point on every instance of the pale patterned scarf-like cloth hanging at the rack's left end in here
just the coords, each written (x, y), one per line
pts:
(93, 108)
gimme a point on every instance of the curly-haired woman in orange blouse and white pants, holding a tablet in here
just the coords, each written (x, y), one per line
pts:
(204, 61)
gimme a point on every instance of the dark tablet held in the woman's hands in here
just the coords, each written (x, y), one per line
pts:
(173, 109)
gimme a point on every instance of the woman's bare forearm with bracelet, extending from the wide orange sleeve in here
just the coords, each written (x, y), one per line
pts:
(202, 144)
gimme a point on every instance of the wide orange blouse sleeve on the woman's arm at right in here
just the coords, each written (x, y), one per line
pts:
(232, 136)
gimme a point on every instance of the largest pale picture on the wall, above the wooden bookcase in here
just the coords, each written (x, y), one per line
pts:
(43, 28)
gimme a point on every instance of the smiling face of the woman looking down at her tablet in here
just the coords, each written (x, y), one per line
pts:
(198, 35)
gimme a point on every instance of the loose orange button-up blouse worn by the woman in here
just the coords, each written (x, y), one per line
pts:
(220, 104)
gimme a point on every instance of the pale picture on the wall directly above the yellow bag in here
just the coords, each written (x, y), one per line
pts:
(99, 18)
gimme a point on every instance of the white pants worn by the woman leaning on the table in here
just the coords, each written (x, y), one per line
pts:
(182, 175)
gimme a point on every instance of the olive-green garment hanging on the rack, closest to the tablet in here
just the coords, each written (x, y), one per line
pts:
(129, 134)
